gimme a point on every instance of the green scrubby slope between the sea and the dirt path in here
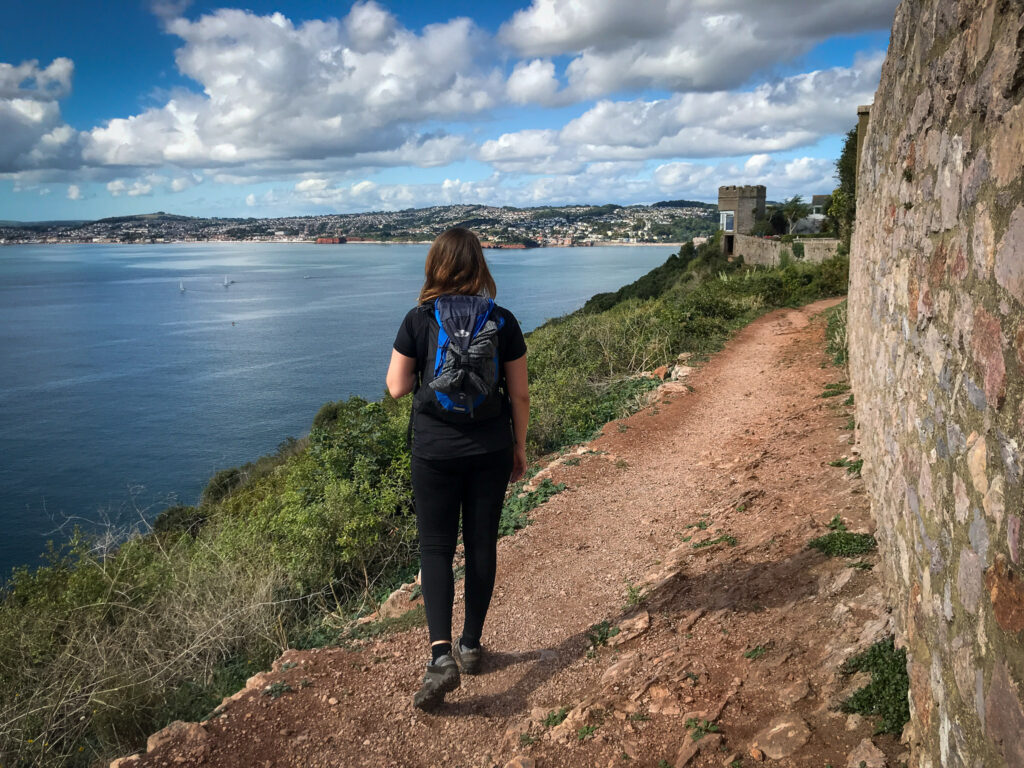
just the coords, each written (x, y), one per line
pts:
(113, 641)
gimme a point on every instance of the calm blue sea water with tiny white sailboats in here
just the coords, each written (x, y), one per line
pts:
(121, 395)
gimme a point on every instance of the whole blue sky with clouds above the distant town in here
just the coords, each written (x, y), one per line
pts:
(278, 108)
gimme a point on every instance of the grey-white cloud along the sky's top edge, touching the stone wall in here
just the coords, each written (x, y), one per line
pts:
(679, 46)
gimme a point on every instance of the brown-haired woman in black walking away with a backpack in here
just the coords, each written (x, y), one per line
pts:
(465, 361)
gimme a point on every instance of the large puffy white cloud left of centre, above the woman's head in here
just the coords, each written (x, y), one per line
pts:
(275, 92)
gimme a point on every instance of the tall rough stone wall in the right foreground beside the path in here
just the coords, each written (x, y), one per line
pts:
(937, 363)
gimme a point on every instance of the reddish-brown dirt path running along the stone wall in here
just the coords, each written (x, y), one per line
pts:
(737, 633)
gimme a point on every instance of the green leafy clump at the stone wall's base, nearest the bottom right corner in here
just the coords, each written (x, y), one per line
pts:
(886, 697)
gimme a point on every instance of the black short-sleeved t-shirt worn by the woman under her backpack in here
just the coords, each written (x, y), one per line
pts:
(434, 439)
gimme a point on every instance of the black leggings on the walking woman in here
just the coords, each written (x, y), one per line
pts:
(442, 487)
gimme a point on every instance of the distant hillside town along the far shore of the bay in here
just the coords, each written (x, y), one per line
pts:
(668, 222)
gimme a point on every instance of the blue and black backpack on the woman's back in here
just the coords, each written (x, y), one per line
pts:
(462, 380)
